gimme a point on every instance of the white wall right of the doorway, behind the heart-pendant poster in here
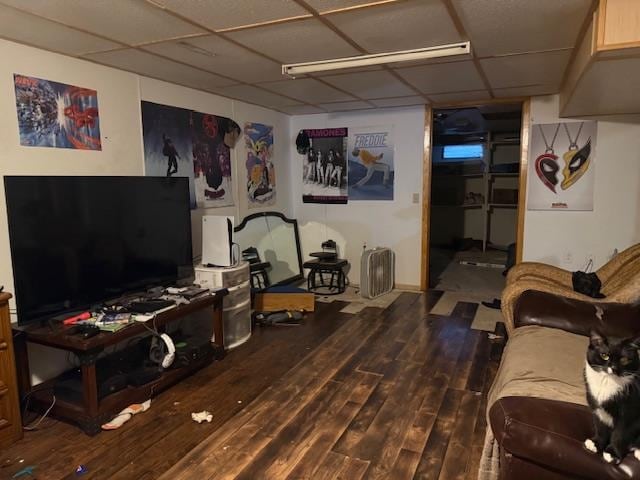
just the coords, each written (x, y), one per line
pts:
(569, 239)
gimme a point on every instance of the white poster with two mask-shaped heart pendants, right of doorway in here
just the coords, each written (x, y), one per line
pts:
(561, 166)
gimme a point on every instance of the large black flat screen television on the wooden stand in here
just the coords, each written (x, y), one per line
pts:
(78, 241)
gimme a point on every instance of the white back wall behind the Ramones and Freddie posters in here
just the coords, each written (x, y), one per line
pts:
(395, 224)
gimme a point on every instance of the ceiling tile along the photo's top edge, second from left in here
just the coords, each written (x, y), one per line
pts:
(233, 13)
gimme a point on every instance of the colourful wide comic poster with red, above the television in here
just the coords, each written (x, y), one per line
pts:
(52, 114)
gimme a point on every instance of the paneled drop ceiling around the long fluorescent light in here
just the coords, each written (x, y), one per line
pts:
(235, 48)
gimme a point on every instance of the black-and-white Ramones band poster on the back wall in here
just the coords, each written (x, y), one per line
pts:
(324, 178)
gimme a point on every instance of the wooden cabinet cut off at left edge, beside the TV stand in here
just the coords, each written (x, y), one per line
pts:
(10, 422)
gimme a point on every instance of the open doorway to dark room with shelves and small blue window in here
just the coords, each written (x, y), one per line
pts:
(474, 205)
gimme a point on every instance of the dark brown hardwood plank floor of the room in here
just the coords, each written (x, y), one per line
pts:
(394, 393)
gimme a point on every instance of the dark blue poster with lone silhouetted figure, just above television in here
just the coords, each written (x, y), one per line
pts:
(167, 143)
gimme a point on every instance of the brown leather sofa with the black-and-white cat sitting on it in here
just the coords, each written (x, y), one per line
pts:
(542, 439)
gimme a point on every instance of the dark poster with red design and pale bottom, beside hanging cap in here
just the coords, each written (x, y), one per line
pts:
(211, 161)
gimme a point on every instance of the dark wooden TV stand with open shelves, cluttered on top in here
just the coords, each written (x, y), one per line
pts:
(93, 412)
